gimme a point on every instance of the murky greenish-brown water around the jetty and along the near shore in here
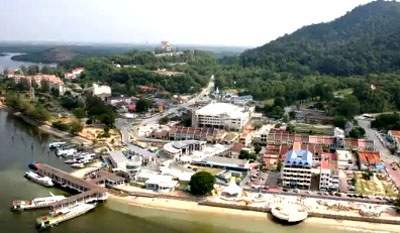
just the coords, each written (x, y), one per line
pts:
(20, 144)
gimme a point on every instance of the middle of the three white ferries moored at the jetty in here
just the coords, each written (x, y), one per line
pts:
(41, 202)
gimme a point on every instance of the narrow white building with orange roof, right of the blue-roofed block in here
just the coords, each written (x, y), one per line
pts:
(329, 172)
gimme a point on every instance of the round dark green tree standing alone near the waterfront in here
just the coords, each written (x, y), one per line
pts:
(202, 183)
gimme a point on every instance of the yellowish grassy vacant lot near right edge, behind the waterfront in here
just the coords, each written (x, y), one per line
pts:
(374, 186)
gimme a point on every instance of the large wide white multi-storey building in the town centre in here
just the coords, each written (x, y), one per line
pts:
(222, 115)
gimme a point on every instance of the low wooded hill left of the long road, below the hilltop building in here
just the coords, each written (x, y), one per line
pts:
(124, 73)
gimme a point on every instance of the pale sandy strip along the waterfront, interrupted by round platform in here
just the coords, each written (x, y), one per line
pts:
(193, 207)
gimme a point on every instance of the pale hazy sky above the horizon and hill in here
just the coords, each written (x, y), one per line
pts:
(208, 22)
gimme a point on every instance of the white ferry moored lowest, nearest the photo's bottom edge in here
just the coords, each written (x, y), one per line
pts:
(62, 215)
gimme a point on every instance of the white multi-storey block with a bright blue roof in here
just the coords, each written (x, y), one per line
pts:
(297, 169)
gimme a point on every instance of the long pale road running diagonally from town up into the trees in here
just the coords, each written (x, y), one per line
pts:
(124, 126)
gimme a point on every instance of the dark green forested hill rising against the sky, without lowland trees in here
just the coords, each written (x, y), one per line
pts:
(365, 40)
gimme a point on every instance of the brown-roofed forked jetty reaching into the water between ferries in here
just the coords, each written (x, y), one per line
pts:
(89, 190)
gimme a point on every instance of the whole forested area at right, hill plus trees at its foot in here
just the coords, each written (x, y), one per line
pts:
(352, 60)
